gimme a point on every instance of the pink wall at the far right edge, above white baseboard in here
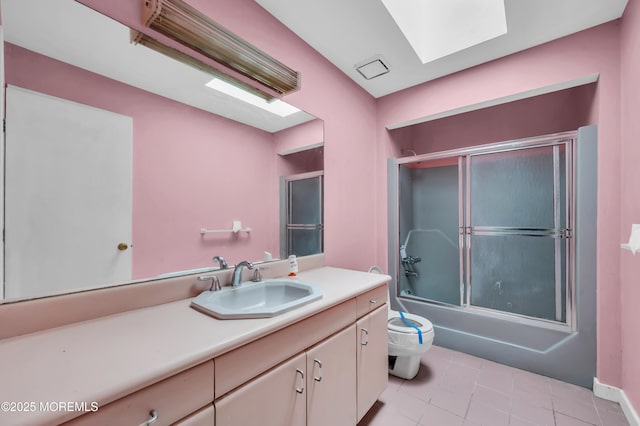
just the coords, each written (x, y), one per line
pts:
(630, 265)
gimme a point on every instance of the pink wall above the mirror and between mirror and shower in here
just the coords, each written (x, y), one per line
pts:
(348, 111)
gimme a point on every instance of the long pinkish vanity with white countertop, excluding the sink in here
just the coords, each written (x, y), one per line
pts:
(306, 367)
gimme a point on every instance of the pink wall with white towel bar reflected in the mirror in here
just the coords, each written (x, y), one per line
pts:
(183, 178)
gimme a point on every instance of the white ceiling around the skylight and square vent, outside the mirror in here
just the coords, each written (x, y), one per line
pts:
(347, 32)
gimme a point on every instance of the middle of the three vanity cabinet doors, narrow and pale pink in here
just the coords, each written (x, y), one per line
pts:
(331, 381)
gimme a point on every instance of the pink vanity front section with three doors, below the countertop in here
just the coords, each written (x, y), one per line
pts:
(332, 382)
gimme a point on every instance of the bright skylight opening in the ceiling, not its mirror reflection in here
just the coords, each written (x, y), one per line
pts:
(438, 28)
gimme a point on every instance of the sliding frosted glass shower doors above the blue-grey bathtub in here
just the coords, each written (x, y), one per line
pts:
(489, 228)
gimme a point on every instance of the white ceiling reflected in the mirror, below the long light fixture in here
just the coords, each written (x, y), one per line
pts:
(54, 28)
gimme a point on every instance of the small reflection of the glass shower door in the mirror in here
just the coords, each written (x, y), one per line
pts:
(304, 227)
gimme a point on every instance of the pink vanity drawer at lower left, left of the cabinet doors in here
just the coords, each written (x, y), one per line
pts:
(172, 398)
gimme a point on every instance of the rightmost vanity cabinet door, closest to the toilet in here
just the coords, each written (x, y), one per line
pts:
(372, 358)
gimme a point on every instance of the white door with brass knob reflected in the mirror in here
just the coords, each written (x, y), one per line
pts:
(67, 195)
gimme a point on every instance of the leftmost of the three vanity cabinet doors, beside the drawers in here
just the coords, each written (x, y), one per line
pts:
(276, 398)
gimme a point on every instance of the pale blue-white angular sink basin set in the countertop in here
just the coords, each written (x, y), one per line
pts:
(263, 299)
